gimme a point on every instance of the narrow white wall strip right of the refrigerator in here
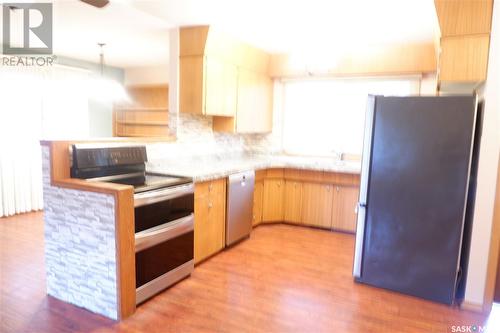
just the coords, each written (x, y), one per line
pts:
(488, 164)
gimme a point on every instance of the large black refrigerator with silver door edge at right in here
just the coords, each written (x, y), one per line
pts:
(416, 171)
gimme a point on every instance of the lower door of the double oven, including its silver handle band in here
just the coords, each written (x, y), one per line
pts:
(164, 255)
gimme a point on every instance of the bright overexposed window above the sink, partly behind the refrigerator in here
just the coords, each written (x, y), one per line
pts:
(323, 116)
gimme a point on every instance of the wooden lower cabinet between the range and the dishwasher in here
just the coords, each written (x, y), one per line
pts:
(209, 218)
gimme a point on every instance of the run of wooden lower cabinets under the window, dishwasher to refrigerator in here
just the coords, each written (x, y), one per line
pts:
(314, 198)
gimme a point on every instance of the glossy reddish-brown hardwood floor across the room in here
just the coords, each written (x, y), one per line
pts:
(283, 279)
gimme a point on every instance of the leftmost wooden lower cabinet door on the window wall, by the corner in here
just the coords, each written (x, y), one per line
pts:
(272, 210)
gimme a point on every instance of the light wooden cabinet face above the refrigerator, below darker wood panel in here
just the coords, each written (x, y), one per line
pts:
(464, 58)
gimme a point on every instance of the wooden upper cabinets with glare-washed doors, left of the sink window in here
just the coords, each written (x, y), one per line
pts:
(225, 78)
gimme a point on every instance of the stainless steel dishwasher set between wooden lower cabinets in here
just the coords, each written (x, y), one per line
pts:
(239, 206)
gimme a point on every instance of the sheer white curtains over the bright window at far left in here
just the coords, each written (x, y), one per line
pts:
(35, 103)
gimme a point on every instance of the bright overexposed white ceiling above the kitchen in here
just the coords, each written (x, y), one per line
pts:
(136, 31)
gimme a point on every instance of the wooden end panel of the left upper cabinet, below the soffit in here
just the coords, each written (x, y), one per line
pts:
(191, 84)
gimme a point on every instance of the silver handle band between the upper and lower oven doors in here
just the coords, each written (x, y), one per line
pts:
(164, 232)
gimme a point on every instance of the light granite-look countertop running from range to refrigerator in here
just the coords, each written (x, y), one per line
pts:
(202, 169)
